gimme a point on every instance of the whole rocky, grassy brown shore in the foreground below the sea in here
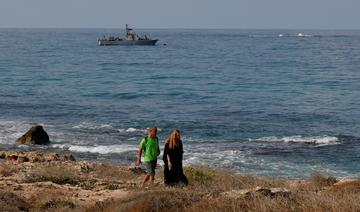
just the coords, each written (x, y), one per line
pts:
(48, 181)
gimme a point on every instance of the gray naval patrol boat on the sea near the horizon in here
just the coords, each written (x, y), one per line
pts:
(131, 38)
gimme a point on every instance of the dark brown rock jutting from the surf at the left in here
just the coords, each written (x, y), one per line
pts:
(36, 135)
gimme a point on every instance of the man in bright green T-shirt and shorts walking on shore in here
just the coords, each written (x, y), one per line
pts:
(150, 146)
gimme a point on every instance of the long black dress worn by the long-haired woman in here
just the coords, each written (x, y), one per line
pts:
(175, 174)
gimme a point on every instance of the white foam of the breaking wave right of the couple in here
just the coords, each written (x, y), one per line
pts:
(318, 140)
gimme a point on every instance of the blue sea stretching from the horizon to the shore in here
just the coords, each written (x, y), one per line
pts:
(267, 102)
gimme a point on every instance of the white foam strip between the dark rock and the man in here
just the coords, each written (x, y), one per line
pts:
(101, 149)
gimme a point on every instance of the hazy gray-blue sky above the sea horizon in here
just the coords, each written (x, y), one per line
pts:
(262, 14)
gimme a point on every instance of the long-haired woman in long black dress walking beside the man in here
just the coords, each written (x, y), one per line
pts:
(173, 153)
